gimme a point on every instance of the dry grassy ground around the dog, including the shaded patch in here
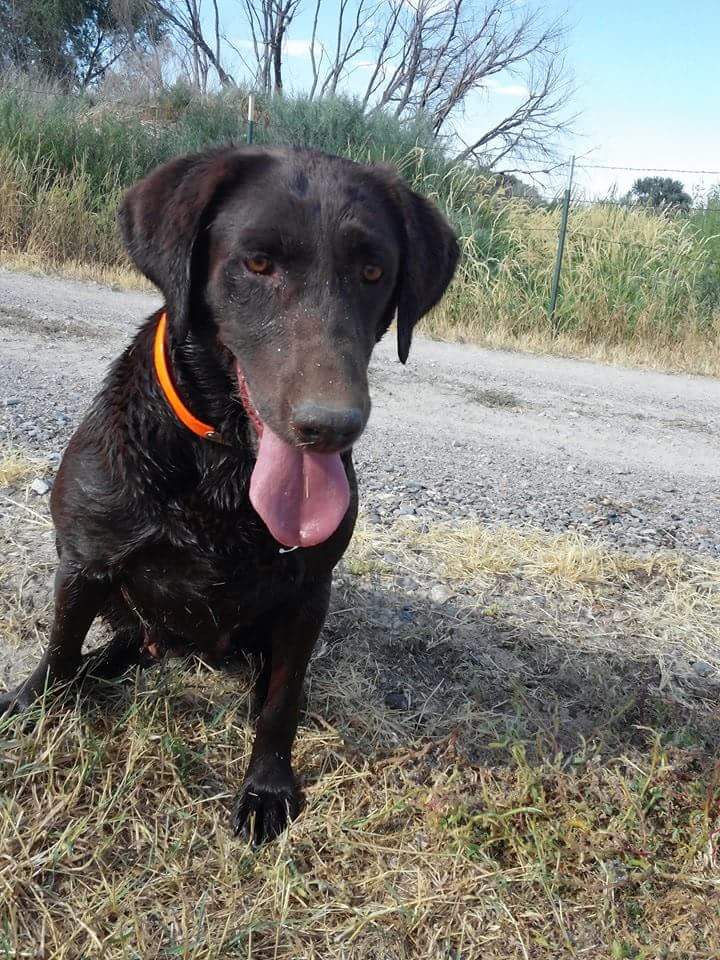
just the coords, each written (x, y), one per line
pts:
(550, 789)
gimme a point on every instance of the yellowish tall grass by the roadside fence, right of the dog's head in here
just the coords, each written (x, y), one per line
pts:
(635, 287)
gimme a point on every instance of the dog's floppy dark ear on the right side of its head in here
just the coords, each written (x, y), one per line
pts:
(429, 259)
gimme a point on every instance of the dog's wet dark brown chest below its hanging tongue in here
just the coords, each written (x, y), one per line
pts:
(210, 576)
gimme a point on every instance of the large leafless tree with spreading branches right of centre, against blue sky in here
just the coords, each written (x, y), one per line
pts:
(434, 58)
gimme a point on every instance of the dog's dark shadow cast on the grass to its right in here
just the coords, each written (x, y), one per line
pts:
(394, 670)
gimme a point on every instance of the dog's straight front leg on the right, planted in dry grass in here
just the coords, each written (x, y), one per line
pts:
(269, 799)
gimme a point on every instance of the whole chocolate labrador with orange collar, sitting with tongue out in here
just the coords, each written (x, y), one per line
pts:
(209, 493)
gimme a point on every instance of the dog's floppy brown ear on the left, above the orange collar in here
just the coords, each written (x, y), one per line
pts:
(163, 215)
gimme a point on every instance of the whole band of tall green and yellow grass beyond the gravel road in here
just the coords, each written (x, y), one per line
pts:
(635, 285)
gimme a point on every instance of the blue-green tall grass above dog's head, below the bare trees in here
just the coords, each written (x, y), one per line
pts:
(62, 135)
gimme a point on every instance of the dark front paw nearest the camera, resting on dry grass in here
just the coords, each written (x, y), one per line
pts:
(265, 806)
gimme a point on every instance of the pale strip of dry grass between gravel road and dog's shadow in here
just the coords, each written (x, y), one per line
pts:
(668, 604)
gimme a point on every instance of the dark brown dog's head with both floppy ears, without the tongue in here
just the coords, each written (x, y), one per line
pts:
(298, 261)
